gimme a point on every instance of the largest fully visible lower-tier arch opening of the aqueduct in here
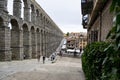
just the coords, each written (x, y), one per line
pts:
(15, 39)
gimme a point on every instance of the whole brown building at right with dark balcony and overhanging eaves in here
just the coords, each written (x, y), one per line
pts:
(97, 18)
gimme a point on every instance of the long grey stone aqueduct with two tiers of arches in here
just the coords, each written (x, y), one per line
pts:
(34, 34)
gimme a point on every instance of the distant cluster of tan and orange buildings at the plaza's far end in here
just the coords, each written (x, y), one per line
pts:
(76, 40)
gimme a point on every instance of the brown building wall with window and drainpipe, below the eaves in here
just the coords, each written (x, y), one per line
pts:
(101, 25)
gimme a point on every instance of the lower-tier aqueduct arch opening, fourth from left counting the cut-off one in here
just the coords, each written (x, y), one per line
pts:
(33, 42)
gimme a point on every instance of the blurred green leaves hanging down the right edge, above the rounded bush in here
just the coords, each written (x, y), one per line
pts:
(114, 33)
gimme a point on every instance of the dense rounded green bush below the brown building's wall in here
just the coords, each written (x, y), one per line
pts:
(98, 62)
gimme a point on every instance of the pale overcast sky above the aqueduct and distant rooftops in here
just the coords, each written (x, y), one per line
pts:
(65, 13)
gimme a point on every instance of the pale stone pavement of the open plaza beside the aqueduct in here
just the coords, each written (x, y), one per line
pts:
(65, 68)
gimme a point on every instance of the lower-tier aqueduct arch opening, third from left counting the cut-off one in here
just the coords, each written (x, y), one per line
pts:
(26, 42)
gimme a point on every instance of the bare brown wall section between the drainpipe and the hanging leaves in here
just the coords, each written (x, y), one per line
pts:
(107, 21)
